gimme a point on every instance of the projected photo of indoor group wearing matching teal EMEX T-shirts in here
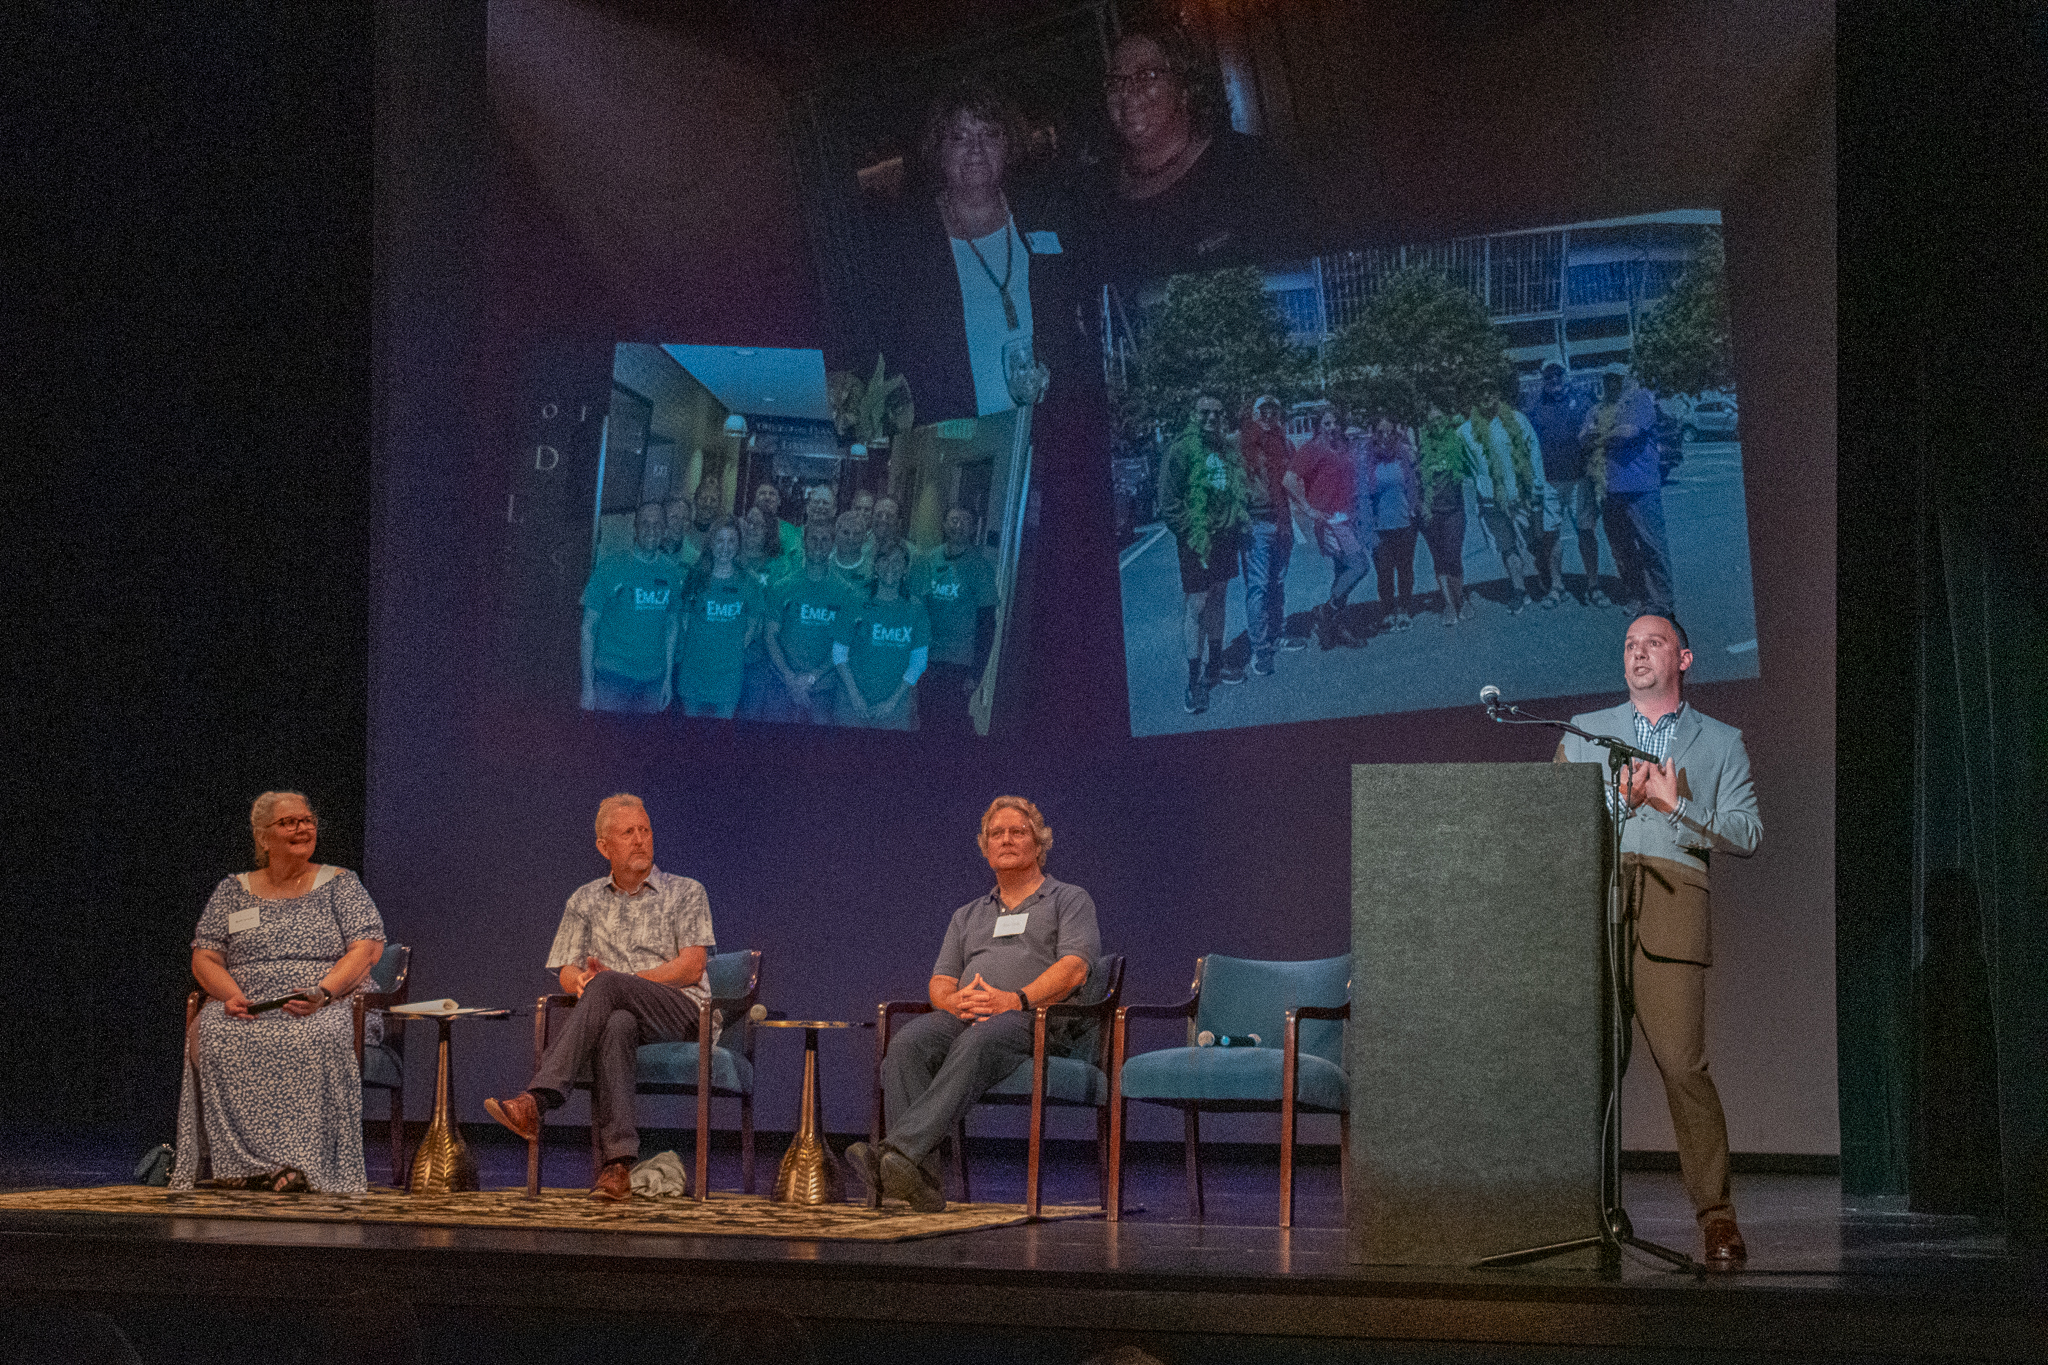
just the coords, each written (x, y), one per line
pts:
(773, 543)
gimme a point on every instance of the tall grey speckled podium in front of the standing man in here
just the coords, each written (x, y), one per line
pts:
(1478, 1010)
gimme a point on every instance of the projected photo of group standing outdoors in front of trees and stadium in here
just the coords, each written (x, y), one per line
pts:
(1379, 480)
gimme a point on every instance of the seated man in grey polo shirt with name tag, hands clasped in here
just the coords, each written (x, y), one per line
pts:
(1025, 944)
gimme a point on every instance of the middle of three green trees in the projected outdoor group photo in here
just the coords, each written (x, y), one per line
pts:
(1422, 341)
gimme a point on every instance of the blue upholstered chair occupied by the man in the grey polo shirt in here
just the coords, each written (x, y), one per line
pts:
(1068, 1069)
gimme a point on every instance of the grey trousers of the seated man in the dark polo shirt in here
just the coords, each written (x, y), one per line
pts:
(937, 1069)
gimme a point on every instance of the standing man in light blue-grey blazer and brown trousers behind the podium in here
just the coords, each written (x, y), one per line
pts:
(1678, 813)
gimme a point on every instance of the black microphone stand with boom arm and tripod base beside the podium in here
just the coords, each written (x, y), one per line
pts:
(1615, 1227)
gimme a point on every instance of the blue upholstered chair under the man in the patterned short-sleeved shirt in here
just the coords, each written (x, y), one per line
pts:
(724, 1071)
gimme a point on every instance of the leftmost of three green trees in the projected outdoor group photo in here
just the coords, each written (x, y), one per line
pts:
(1215, 333)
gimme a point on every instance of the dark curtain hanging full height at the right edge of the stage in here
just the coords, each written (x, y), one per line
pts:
(1943, 879)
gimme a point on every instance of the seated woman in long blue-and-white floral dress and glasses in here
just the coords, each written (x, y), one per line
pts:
(273, 1100)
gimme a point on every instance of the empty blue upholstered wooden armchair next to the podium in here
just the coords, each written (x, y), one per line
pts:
(1295, 1008)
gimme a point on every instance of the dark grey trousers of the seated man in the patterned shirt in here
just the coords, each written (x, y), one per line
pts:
(615, 1016)
